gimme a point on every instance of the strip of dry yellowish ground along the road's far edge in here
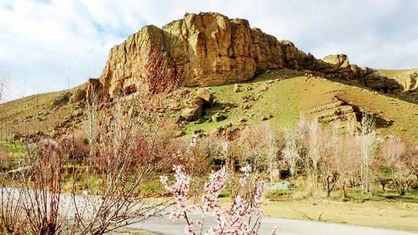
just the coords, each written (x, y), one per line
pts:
(383, 214)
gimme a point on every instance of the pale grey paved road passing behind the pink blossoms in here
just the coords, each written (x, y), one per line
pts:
(286, 227)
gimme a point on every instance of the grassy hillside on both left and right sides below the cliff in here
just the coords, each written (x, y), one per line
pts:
(280, 96)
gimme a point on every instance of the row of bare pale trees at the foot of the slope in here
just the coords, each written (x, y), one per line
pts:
(324, 159)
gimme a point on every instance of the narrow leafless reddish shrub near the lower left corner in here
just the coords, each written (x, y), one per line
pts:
(42, 188)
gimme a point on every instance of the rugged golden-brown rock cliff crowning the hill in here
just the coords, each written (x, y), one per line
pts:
(210, 49)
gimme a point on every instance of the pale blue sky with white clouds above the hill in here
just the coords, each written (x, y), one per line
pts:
(51, 45)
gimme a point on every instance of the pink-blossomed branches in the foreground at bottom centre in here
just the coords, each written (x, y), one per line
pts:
(243, 216)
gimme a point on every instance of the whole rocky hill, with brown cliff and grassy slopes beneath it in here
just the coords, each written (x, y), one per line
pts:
(227, 75)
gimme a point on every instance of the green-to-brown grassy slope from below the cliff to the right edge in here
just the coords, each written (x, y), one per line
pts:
(283, 96)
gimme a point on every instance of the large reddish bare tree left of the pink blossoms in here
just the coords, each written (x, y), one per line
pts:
(127, 146)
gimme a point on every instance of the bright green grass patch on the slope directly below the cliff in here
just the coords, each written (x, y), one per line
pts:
(272, 95)
